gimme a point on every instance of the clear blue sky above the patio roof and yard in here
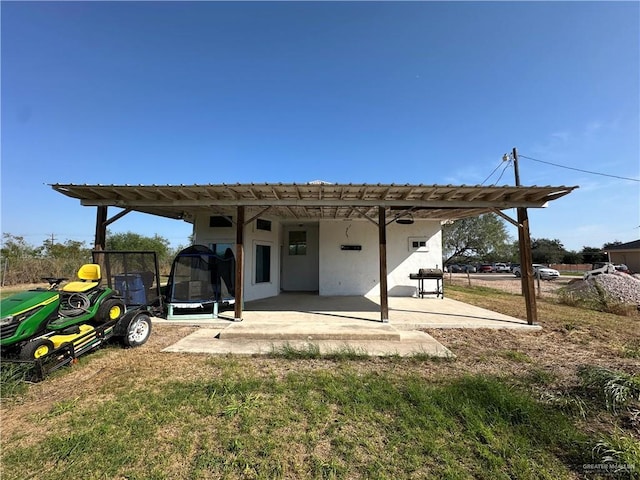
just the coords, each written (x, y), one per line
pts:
(362, 92)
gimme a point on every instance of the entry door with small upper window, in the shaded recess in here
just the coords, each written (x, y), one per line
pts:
(300, 256)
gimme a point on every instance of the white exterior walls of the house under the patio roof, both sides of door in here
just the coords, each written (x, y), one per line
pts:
(341, 272)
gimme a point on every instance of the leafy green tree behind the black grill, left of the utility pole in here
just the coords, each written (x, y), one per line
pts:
(484, 236)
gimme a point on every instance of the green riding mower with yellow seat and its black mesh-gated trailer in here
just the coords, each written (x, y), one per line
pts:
(113, 298)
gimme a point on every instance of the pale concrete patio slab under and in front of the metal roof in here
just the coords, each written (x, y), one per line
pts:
(338, 323)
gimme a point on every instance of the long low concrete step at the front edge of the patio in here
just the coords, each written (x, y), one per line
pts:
(310, 332)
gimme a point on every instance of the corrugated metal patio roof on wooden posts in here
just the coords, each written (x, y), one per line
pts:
(314, 201)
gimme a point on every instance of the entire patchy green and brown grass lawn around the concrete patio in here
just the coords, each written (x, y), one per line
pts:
(506, 413)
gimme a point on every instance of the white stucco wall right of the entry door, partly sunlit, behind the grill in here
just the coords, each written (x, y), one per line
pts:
(357, 272)
